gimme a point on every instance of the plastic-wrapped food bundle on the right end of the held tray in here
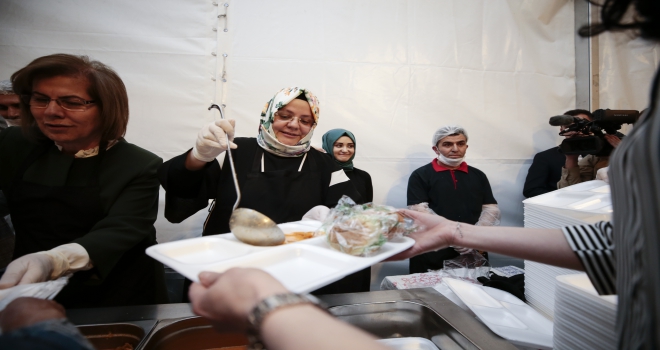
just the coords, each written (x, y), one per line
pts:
(361, 229)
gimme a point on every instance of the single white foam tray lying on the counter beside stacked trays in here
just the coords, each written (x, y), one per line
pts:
(506, 315)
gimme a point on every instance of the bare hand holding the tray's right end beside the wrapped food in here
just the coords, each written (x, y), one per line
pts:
(435, 233)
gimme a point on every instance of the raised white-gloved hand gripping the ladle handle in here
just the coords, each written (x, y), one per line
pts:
(212, 140)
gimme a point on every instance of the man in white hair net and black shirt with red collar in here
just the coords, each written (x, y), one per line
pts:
(452, 189)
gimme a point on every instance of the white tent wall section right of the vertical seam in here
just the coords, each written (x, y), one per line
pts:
(392, 72)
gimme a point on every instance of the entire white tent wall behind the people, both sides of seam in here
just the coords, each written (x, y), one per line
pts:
(390, 71)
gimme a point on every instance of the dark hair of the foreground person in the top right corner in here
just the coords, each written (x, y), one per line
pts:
(645, 21)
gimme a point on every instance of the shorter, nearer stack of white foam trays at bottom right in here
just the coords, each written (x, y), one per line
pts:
(583, 319)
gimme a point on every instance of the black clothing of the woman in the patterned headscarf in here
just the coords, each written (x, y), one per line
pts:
(189, 191)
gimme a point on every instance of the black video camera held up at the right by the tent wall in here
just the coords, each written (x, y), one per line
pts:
(590, 138)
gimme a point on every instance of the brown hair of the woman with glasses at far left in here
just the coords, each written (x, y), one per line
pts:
(105, 87)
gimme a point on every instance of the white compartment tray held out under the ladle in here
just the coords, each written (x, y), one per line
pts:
(302, 266)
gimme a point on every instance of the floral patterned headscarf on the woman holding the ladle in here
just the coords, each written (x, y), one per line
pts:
(266, 137)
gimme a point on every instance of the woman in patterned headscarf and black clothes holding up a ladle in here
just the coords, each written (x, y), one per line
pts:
(279, 173)
